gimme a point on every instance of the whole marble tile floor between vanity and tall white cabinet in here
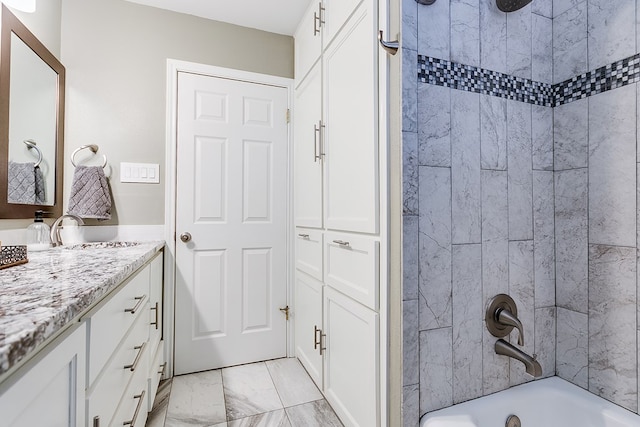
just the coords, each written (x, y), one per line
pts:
(275, 393)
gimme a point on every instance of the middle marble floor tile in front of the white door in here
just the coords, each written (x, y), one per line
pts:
(249, 390)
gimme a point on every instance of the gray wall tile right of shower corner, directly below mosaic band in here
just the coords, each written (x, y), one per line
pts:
(571, 135)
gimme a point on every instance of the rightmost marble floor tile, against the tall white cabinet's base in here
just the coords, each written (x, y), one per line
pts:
(292, 382)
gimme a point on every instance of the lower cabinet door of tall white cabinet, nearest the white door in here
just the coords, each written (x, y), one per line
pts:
(308, 319)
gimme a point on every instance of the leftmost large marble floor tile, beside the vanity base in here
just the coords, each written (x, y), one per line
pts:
(196, 400)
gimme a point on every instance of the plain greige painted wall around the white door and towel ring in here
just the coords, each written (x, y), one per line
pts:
(115, 53)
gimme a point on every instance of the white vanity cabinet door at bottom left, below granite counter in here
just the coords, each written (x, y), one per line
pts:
(51, 393)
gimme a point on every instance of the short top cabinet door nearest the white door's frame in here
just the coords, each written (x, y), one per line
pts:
(308, 41)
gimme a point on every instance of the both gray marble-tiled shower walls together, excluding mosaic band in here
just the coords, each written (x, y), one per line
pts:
(505, 196)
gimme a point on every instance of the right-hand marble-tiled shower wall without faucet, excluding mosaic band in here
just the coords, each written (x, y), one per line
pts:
(596, 203)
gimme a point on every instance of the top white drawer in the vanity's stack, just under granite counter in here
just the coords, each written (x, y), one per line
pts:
(110, 323)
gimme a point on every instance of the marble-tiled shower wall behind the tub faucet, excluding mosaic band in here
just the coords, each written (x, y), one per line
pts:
(478, 202)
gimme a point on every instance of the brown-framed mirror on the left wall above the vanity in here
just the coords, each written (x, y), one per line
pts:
(31, 123)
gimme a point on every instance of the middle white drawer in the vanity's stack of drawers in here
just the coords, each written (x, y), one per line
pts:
(131, 357)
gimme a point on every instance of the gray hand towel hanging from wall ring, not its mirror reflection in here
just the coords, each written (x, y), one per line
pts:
(90, 193)
